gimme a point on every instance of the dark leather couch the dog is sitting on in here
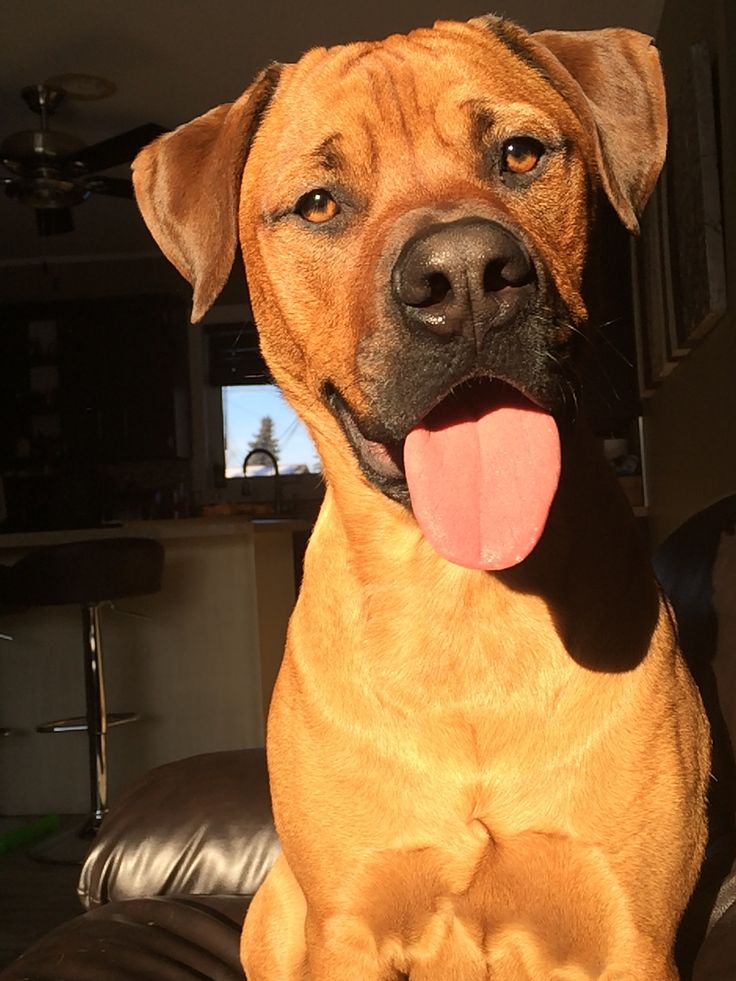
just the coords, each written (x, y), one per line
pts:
(168, 880)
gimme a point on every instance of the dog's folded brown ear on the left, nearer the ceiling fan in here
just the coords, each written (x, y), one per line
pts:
(187, 184)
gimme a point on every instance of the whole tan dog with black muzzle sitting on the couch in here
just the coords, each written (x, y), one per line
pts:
(487, 757)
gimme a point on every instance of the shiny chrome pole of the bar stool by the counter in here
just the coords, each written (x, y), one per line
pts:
(96, 715)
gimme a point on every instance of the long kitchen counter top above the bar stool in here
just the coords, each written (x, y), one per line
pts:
(162, 530)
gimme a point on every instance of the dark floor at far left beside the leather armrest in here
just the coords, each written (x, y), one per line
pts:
(35, 897)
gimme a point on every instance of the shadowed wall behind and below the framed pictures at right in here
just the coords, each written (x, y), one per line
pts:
(691, 419)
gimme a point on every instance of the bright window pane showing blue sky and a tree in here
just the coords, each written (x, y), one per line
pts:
(245, 409)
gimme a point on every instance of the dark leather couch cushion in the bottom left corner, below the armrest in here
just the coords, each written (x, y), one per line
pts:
(172, 939)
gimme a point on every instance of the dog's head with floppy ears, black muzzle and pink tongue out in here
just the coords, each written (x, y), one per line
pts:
(414, 216)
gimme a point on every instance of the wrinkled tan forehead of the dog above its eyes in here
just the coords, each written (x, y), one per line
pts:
(432, 85)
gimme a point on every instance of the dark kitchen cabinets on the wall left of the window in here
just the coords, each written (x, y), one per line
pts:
(103, 381)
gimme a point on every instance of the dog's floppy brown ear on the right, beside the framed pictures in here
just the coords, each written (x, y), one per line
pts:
(620, 76)
